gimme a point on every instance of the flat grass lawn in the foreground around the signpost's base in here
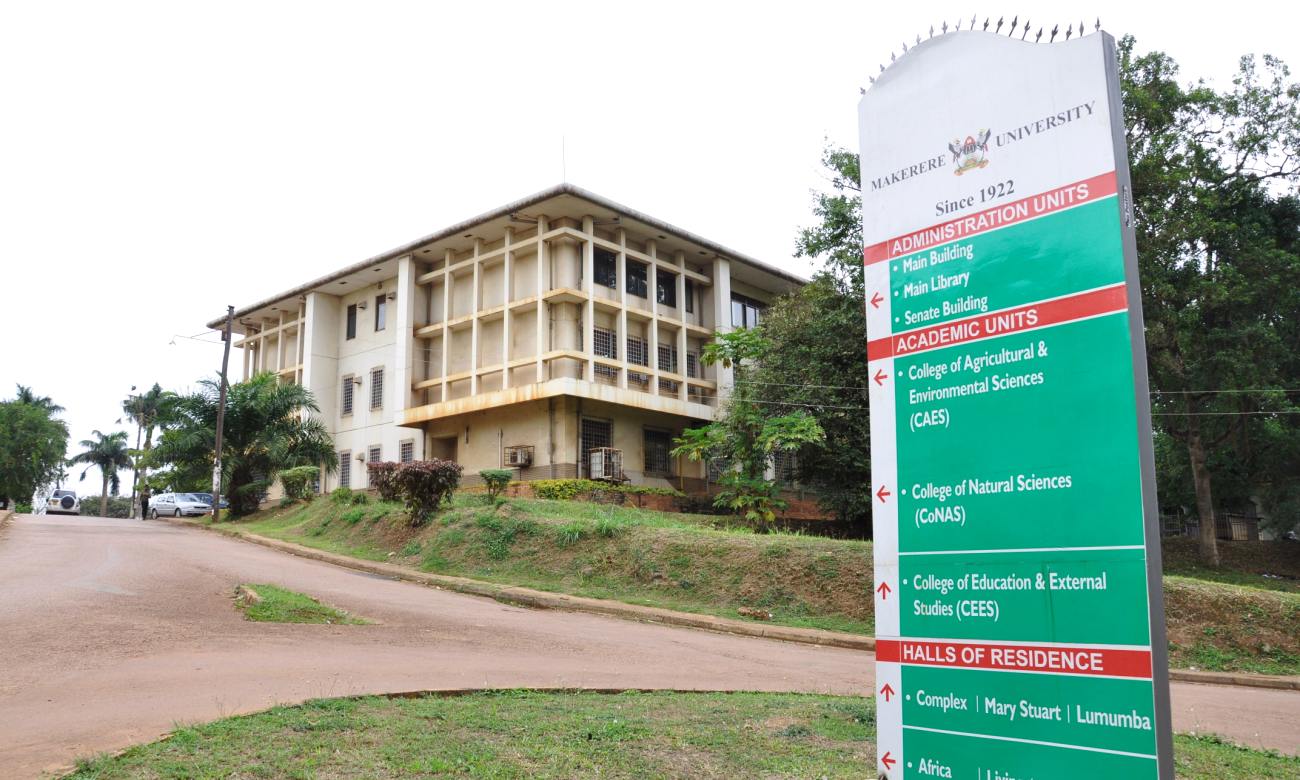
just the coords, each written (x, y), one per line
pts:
(569, 735)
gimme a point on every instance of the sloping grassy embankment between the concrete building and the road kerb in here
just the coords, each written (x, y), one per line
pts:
(1228, 619)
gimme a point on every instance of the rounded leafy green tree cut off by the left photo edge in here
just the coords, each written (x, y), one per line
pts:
(33, 447)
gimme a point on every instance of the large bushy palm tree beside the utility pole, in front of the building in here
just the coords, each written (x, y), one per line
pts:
(268, 428)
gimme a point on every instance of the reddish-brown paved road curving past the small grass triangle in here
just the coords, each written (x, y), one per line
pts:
(112, 631)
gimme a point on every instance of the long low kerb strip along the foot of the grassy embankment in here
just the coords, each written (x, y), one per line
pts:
(541, 600)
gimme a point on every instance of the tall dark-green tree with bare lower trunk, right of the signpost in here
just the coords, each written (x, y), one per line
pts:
(1217, 276)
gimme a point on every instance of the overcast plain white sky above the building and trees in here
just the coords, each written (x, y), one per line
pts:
(161, 161)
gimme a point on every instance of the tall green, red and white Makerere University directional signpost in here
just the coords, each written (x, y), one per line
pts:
(1020, 623)
